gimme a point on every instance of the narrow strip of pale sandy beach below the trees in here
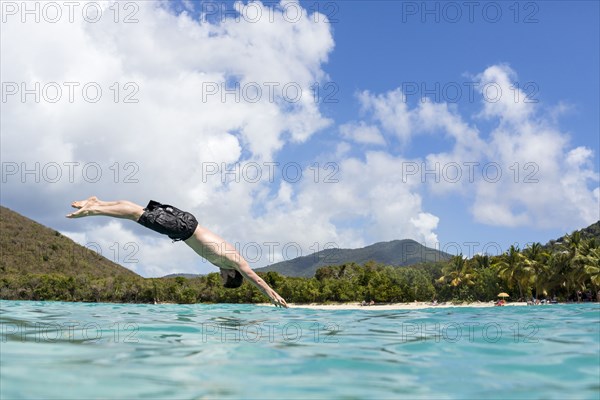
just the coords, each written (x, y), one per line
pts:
(397, 306)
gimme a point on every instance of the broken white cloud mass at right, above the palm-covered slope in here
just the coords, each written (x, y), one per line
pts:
(522, 172)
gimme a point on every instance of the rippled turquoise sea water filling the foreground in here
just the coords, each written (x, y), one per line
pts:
(89, 351)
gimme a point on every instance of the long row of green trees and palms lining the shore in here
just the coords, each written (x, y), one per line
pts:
(569, 271)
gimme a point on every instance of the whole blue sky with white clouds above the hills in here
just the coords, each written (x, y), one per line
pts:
(387, 71)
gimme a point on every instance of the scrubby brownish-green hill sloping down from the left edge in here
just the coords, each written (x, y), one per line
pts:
(38, 262)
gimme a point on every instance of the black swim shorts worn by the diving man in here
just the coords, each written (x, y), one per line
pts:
(168, 220)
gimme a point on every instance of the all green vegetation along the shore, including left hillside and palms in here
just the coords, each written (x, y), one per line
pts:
(38, 263)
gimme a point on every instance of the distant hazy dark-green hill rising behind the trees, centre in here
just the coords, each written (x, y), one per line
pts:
(396, 253)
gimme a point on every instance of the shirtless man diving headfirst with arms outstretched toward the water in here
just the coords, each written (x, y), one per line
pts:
(181, 225)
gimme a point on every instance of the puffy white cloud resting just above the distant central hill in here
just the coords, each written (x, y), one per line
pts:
(370, 202)
